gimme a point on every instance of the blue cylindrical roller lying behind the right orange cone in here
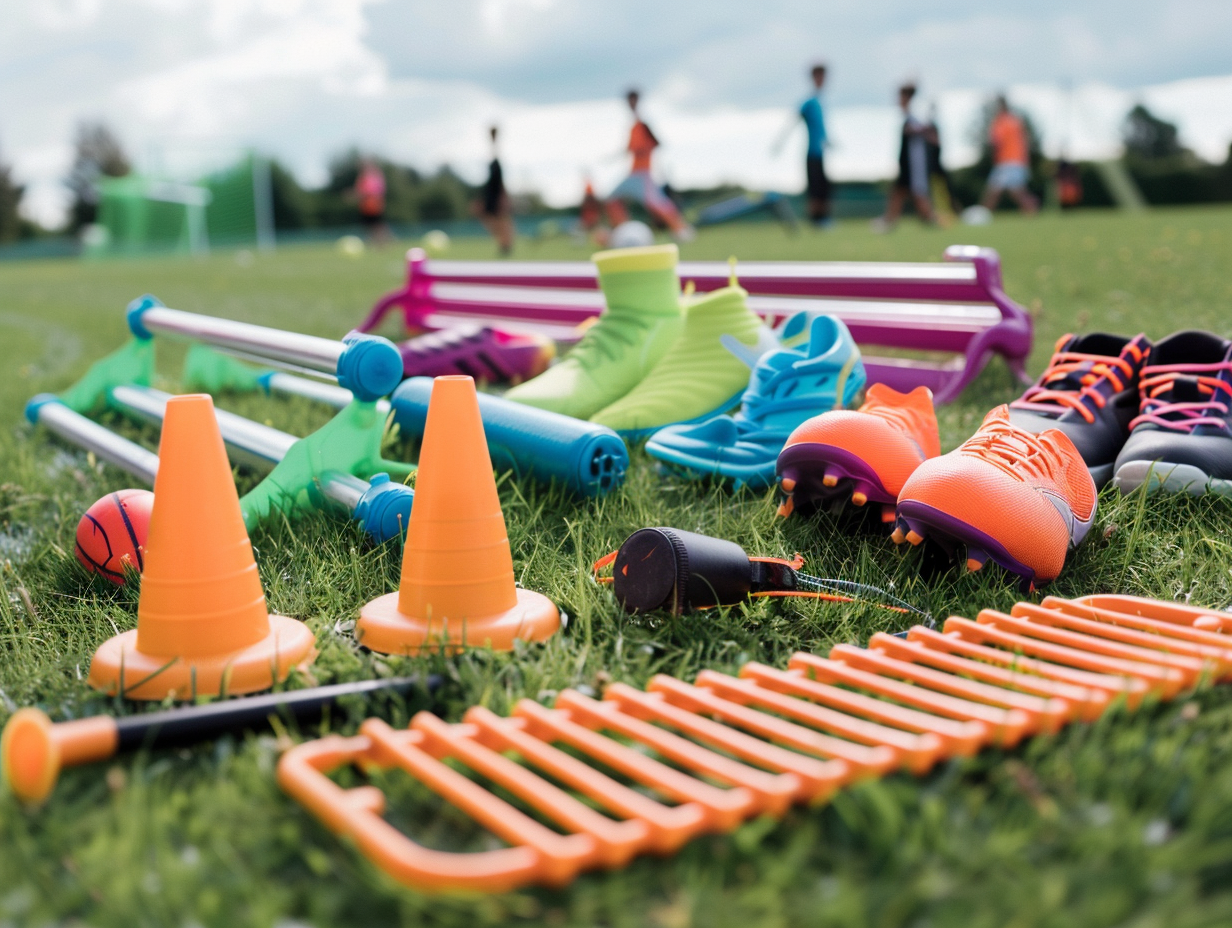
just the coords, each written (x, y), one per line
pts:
(588, 459)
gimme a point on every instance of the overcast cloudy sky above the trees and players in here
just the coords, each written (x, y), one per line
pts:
(187, 83)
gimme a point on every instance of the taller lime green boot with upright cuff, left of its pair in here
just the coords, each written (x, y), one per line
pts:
(640, 325)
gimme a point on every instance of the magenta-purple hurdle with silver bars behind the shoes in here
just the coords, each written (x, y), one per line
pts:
(957, 306)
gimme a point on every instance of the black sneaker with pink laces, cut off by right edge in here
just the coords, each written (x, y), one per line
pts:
(1182, 442)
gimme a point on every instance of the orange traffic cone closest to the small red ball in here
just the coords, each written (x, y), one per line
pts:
(203, 628)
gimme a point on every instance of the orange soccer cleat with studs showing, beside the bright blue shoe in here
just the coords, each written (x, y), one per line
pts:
(867, 453)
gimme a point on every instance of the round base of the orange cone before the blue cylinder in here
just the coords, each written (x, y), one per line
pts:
(384, 629)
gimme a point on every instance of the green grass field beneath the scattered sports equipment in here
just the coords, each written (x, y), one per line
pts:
(1125, 823)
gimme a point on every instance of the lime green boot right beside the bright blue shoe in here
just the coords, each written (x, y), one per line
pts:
(703, 375)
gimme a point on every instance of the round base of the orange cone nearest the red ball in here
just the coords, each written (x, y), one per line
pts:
(147, 677)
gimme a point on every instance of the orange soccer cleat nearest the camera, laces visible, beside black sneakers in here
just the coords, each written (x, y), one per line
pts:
(1018, 499)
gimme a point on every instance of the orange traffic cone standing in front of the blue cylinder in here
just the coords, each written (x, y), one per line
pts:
(458, 574)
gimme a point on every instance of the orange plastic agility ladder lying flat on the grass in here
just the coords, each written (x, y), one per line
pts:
(710, 755)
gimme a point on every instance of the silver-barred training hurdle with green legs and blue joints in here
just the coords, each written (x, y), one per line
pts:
(339, 464)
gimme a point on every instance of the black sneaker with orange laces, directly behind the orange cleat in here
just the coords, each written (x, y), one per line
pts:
(1091, 394)
